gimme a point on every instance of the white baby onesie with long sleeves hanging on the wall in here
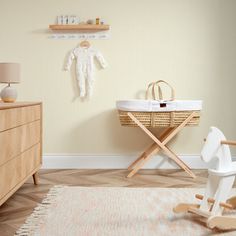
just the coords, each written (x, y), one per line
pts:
(85, 67)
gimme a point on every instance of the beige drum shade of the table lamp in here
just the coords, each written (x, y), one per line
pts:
(9, 73)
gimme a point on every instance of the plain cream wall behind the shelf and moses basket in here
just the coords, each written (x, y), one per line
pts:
(190, 43)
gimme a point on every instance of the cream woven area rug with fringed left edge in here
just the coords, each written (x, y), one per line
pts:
(108, 211)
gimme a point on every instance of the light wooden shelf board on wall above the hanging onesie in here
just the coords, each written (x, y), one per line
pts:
(80, 27)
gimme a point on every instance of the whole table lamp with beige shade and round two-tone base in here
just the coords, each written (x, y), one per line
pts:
(9, 74)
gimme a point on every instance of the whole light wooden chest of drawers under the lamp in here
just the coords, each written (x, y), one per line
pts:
(20, 145)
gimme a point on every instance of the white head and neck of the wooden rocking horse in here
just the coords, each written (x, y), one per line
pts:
(214, 150)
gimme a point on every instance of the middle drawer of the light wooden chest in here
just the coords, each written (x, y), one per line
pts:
(15, 141)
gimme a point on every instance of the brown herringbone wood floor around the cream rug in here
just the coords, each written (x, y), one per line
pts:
(14, 212)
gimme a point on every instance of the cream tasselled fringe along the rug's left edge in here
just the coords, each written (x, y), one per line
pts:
(34, 221)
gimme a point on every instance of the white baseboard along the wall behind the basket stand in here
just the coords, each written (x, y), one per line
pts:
(80, 161)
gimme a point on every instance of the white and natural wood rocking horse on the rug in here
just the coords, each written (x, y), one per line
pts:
(215, 201)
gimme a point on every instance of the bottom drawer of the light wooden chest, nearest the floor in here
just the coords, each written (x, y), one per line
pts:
(14, 171)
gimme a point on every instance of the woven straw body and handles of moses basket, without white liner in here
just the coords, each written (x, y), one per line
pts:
(159, 119)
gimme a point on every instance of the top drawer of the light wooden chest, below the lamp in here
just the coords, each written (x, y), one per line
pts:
(14, 117)
